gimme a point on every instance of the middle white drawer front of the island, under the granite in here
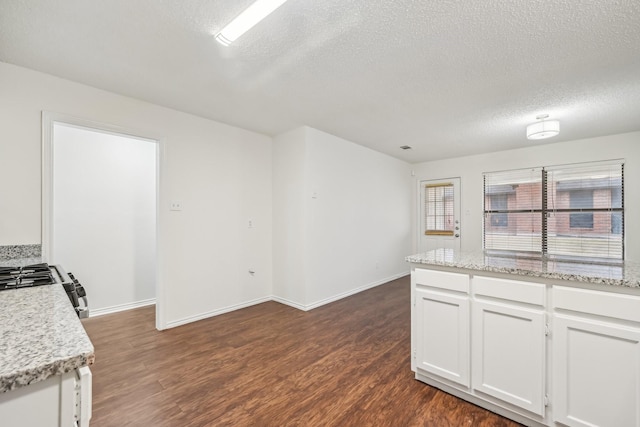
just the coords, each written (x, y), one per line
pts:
(512, 290)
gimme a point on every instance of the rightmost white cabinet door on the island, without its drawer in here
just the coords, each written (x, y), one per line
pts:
(596, 373)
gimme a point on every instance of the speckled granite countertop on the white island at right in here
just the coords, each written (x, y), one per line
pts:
(627, 274)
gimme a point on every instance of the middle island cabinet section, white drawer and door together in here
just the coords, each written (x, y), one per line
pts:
(508, 342)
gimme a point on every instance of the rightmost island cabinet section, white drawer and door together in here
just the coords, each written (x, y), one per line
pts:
(596, 358)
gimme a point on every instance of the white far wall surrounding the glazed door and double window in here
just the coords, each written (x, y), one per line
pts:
(470, 169)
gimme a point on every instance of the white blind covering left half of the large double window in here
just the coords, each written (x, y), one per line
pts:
(513, 210)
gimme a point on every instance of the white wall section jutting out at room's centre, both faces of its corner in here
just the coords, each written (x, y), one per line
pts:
(353, 204)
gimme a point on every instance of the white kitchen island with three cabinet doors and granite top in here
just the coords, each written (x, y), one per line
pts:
(540, 341)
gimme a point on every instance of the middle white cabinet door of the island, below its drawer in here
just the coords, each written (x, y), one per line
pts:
(508, 348)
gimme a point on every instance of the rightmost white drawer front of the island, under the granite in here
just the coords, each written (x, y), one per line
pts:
(609, 304)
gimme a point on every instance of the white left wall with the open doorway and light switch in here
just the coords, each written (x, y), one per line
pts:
(221, 174)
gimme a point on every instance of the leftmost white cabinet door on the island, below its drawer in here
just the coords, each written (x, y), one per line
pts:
(442, 339)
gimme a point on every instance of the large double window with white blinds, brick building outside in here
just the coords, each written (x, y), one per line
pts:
(570, 211)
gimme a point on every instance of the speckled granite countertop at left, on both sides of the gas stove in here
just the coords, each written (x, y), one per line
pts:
(40, 334)
